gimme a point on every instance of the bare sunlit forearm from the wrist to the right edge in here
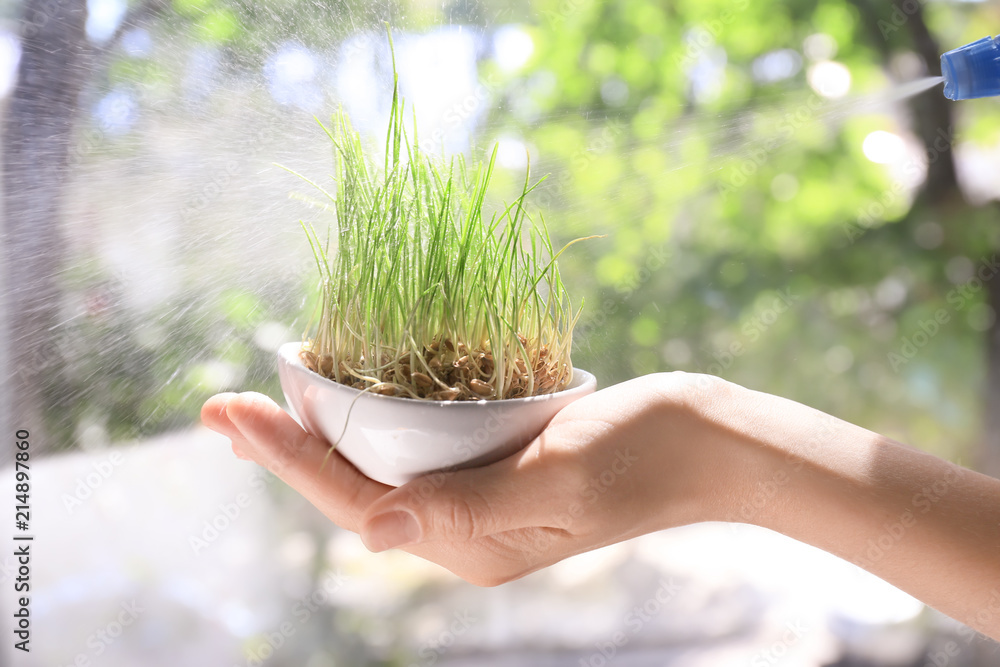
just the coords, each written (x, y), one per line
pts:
(928, 526)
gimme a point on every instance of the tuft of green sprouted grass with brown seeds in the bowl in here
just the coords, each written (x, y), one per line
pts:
(424, 294)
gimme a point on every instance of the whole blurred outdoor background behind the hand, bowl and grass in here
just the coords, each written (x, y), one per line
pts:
(782, 207)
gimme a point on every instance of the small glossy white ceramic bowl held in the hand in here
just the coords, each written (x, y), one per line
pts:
(392, 440)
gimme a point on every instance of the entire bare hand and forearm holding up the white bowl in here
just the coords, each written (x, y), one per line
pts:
(660, 451)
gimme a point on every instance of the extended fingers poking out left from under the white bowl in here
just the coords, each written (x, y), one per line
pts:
(269, 436)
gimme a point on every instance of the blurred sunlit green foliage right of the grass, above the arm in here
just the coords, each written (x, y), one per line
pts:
(757, 188)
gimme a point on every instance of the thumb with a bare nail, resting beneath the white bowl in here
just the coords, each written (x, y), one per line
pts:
(462, 505)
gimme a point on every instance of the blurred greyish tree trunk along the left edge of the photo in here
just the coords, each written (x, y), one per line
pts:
(37, 132)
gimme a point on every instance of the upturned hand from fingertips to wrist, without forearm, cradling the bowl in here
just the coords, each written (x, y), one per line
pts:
(627, 460)
